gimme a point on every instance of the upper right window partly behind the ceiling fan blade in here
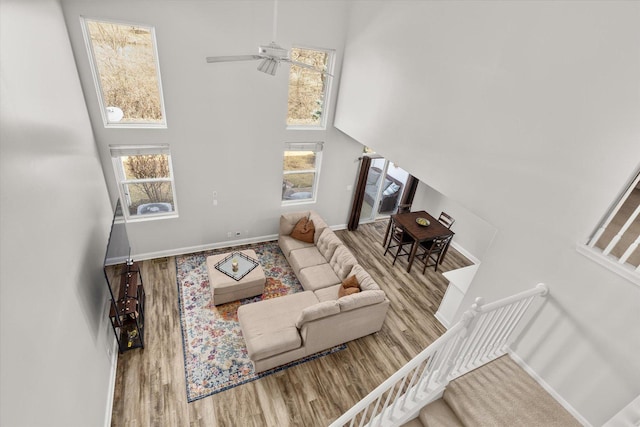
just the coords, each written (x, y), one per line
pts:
(308, 89)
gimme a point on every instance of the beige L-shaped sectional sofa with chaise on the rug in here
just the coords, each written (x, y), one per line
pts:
(284, 329)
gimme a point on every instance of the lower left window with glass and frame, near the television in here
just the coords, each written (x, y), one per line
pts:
(145, 181)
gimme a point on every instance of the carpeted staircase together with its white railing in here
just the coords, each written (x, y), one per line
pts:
(441, 386)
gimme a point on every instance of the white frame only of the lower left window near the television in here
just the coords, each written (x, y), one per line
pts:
(119, 151)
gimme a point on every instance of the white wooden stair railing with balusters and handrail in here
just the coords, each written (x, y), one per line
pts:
(482, 335)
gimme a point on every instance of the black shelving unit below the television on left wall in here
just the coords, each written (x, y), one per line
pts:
(127, 312)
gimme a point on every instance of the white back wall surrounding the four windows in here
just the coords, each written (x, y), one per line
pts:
(226, 122)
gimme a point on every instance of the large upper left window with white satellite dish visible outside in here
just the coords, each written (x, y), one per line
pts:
(125, 67)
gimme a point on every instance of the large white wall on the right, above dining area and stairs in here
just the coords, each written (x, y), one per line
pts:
(527, 114)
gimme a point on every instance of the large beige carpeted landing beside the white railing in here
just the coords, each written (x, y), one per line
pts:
(503, 394)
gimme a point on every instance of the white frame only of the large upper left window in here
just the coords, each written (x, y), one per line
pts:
(96, 74)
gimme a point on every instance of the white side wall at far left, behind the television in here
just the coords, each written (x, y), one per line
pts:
(55, 219)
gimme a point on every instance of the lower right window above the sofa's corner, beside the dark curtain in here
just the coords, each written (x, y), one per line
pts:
(301, 171)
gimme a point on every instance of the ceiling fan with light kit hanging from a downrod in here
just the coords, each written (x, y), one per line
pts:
(271, 55)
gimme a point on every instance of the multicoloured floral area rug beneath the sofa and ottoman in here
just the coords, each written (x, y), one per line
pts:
(215, 355)
